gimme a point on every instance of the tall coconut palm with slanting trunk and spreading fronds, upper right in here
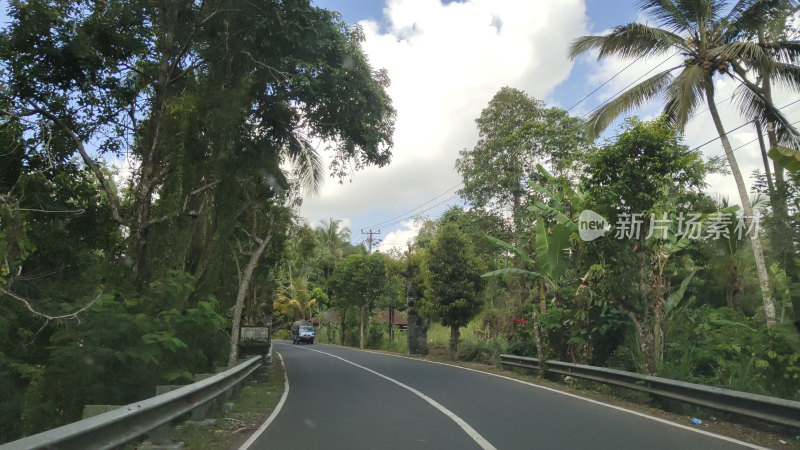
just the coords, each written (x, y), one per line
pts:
(713, 42)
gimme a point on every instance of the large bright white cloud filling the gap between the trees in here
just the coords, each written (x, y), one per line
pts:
(445, 63)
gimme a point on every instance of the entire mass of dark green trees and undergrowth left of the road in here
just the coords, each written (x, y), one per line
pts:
(221, 133)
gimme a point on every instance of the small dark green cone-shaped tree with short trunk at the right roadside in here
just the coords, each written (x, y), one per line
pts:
(454, 282)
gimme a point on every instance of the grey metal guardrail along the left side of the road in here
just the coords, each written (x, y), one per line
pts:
(129, 422)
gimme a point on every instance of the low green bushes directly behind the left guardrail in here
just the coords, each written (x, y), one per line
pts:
(119, 351)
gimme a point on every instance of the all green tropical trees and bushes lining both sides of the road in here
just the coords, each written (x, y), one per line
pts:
(152, 169)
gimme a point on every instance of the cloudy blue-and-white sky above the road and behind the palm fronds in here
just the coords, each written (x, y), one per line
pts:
(447, 59)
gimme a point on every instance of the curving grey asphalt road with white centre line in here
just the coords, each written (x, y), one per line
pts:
(342, 398)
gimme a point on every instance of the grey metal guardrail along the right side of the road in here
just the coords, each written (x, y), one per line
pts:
(770, 409)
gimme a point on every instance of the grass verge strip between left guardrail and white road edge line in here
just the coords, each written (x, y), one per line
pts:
(253, 405)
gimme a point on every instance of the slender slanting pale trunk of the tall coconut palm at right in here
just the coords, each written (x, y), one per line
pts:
(755, 241)
